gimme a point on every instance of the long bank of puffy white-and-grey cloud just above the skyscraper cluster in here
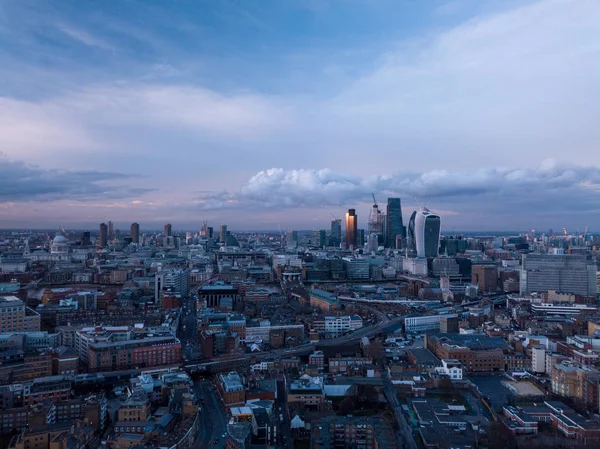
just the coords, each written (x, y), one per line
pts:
(537, 188)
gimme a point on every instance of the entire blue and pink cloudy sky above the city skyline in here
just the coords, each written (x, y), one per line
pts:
(263, 114)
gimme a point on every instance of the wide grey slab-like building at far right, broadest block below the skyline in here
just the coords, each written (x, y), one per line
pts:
(568, 273)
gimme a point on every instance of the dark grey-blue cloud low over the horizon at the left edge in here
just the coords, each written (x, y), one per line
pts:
(20, 182)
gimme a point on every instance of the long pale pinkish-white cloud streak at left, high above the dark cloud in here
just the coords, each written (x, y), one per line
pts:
(96, 118)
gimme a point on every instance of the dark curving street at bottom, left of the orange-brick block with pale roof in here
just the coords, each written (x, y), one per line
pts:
(214, 420)
